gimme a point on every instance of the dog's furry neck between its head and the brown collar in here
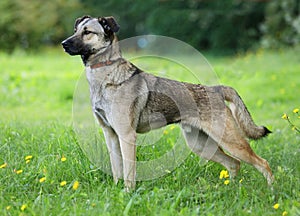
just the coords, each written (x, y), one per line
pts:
(105, 58)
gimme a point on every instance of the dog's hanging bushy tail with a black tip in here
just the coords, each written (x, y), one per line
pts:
(242, 115)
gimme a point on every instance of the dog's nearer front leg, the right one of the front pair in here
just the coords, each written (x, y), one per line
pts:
(128, 149)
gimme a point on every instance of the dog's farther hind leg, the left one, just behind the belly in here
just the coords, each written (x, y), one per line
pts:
(204, 146)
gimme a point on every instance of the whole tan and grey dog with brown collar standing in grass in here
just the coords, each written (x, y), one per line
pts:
(127, 101)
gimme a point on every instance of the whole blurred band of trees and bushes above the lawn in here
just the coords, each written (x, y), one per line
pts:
(231, 25)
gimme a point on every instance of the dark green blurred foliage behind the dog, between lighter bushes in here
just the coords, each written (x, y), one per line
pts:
(204, 24)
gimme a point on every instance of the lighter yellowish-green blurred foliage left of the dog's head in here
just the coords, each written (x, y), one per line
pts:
(30, 23)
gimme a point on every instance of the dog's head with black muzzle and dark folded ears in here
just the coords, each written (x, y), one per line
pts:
(91, 36)
